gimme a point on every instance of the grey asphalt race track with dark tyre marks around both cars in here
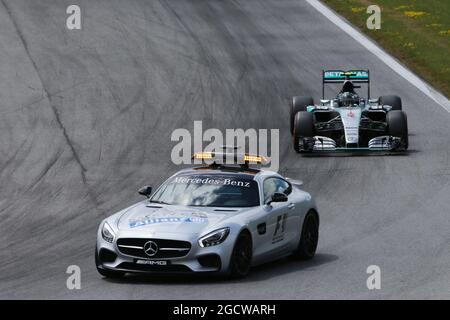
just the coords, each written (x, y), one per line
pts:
(86, 118)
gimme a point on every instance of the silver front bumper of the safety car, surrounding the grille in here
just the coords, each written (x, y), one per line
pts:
(213, 259)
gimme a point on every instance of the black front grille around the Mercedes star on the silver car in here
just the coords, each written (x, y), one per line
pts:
(166, 248)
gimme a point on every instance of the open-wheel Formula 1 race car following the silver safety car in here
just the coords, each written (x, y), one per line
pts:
(348, 122)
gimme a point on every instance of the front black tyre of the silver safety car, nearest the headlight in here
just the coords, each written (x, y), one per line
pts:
(241, 257)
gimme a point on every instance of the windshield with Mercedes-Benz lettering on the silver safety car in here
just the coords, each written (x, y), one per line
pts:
(209, 191)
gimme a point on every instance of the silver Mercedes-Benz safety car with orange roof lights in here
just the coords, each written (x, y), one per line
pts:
(212, 218)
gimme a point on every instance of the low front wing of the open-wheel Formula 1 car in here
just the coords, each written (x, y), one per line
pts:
(325, 144)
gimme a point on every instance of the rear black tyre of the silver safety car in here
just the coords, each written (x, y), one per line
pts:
(309, 237)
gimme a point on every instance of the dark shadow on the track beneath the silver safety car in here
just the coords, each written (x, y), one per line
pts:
(260, 273)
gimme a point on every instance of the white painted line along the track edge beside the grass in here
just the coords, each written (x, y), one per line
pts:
(381, 54)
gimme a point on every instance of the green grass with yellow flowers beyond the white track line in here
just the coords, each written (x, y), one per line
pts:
(417, 32)
